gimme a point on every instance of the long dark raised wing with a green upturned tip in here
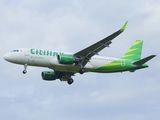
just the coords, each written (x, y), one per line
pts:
(85, 54)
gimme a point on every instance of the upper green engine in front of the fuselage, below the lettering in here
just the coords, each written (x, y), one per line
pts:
(66, 59)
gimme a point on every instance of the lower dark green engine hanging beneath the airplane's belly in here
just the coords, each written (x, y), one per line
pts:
(49, 75)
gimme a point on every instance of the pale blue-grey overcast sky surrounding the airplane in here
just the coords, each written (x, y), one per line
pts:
(72, 25)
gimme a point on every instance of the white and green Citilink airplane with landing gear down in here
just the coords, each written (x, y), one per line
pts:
(65, 65)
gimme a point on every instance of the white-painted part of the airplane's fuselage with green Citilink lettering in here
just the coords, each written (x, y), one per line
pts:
(47, 58)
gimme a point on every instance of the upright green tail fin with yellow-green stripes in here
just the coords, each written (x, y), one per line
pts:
(134, 53)
